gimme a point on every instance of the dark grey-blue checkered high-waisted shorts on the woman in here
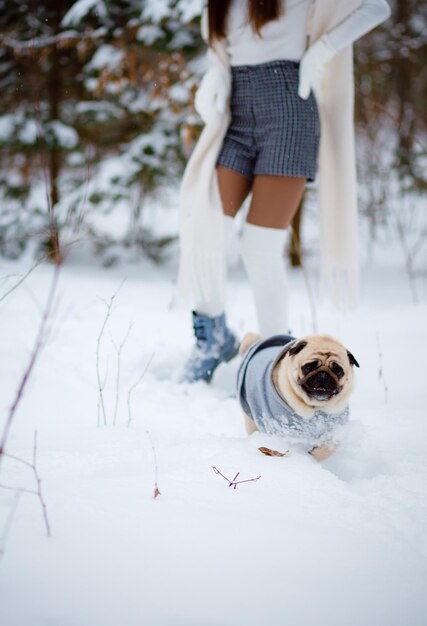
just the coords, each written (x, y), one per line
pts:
(272, 130)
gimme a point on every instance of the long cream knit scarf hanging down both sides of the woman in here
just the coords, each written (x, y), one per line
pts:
(202, 257)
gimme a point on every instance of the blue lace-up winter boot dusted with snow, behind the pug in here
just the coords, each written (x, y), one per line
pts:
(215, 344)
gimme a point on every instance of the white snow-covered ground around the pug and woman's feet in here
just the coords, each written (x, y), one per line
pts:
(341, 543)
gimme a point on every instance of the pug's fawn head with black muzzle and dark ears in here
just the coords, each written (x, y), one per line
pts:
(319, 370)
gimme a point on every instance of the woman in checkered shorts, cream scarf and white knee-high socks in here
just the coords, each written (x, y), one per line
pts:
(264, 139)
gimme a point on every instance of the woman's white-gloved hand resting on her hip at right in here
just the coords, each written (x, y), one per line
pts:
(312, 68)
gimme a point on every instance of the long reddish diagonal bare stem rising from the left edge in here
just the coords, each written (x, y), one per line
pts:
(40, 339)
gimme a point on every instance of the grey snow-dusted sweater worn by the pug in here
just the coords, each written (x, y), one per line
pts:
(262, 402)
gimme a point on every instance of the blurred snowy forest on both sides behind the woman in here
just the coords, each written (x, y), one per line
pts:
(97, 116)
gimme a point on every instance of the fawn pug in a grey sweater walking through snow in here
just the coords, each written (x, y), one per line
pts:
(297, 388)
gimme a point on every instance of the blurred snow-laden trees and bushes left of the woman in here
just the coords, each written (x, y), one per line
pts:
(95, 99)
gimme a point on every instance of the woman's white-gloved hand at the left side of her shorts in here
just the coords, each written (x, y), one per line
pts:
(212, 95)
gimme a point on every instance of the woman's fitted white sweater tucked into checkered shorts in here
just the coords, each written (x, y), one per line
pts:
(285, 38)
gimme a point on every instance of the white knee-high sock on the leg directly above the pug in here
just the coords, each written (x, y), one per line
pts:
(262, 250)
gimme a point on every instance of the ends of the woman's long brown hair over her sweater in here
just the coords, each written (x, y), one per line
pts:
(260, 12)
